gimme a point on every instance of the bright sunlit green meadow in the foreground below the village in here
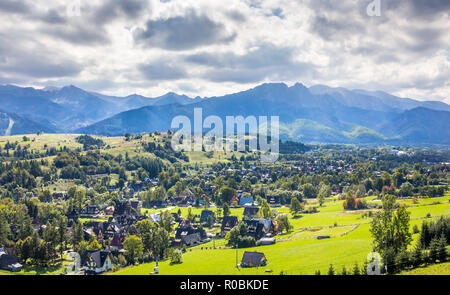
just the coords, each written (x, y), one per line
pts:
(299, 252)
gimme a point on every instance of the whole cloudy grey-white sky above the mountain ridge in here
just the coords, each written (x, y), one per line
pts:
(209, 47)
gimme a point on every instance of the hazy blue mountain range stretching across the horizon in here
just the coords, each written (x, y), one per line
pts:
(315, 114)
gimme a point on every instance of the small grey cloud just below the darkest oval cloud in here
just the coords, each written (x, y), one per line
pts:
(162, 70)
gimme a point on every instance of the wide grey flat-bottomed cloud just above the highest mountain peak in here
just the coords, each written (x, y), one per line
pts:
(266, 62)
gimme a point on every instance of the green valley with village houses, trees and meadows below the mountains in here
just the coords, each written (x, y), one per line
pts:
(132, 205)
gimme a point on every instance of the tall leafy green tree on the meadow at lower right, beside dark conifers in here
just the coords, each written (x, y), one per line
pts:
(390, 229)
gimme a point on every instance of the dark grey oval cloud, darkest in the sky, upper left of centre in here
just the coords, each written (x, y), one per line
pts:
(183, 32)
